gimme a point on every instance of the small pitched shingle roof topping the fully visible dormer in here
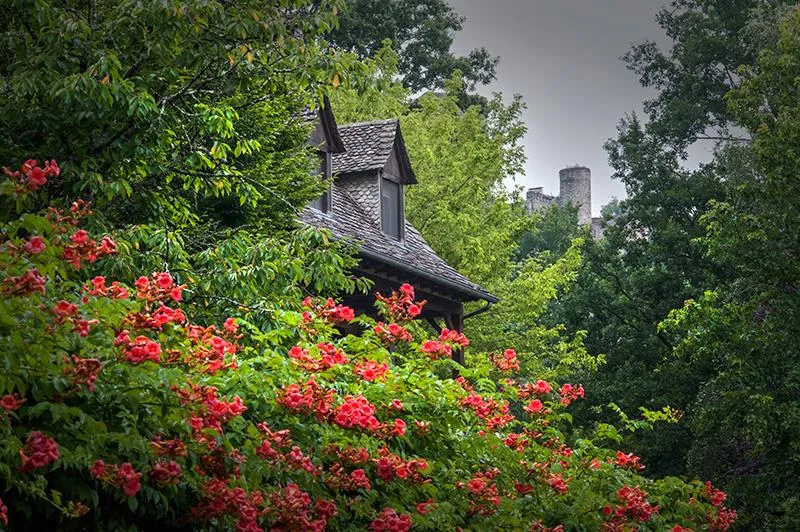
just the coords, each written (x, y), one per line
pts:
(369, 147)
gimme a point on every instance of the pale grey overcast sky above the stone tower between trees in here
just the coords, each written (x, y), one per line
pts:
(562, 56)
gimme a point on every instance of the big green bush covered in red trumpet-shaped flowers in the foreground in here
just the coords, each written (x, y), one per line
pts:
(120, 413)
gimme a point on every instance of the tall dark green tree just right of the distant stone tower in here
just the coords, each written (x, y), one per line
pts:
(650, 260)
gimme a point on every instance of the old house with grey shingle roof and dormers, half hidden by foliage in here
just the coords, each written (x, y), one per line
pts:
(365, 205)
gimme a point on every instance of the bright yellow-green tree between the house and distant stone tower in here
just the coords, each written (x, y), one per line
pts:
(465, 211)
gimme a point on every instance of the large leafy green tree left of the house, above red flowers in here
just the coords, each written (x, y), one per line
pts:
(181, 122)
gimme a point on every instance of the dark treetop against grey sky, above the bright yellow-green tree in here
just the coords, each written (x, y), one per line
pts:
(421, 32)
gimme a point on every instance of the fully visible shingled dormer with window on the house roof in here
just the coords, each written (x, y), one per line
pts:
(373, 170)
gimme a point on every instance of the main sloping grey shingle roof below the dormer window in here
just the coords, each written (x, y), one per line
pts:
(349, 222)
